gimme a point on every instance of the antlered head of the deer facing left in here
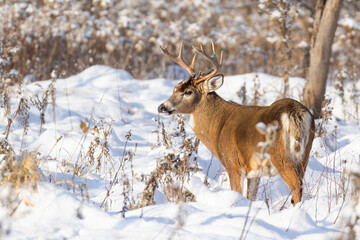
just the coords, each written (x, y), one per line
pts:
(189, 92)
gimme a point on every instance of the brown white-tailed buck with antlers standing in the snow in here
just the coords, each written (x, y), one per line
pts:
(228, 129)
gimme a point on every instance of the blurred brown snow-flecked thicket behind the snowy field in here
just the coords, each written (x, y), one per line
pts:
(270, 36)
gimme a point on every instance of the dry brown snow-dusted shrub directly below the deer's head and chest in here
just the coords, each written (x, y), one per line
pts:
(175, 168)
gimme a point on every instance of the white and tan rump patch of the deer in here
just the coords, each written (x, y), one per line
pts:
(296, 134)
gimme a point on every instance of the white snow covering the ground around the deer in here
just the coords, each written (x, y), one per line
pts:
(112, 99)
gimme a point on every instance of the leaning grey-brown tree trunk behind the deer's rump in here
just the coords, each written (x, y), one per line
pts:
(325, 23)
